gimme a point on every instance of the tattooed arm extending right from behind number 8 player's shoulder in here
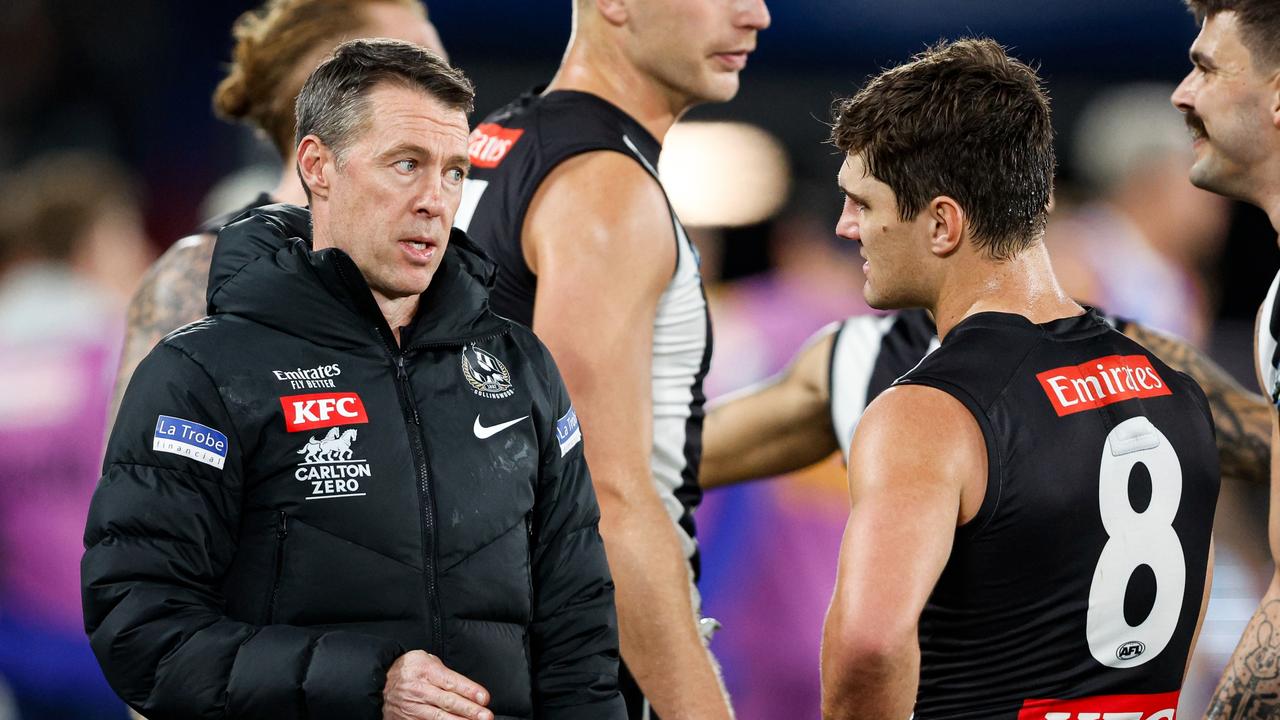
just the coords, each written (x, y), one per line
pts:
(1242, 418)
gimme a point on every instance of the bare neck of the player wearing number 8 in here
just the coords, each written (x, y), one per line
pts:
(1023, 286)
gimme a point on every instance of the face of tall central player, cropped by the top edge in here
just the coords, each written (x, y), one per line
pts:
(697, 48)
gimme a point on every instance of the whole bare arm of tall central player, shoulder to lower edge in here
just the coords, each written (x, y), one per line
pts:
(600, 238)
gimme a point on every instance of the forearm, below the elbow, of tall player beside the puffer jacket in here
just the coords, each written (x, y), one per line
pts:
(657, 626)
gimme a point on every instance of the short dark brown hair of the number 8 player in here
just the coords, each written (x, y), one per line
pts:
(962, 120)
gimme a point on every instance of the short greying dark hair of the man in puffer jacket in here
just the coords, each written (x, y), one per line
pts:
(333, 104)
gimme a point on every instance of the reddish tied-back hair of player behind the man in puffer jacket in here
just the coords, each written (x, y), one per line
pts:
(271, 43)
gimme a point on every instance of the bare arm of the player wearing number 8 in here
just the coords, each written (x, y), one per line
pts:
(906, 512)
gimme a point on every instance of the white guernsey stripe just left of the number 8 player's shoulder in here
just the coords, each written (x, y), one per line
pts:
(852, 364)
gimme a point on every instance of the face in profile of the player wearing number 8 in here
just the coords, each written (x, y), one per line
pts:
(895, 252)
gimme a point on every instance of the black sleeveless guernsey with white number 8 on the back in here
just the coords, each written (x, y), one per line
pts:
(1077, 587)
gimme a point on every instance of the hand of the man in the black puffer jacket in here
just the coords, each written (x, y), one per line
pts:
(419, 687)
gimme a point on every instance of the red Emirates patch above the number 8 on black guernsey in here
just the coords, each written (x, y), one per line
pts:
(1104, 381)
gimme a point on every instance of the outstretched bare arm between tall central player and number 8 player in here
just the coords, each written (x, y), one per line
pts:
(778, 427)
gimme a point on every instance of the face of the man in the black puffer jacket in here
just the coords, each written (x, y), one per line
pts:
(392, 197)
